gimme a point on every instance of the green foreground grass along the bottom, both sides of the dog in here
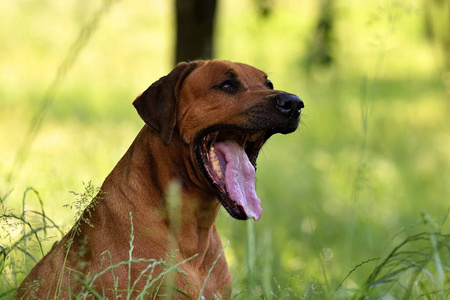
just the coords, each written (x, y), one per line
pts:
(417, 267)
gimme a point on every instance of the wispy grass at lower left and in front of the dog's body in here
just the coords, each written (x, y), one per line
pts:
(27, 249)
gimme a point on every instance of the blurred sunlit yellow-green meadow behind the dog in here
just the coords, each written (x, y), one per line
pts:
(371, 155)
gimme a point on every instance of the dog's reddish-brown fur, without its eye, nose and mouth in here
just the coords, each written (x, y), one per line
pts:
(175, 108)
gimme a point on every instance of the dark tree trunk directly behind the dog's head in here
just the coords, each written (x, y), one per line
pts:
(195, 27)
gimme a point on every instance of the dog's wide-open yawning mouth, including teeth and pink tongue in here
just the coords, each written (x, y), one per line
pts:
(228, 157)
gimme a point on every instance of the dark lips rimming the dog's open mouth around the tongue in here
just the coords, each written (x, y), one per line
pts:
(250, 140)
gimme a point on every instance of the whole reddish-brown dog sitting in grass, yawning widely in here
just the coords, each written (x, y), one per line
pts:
(206, 122)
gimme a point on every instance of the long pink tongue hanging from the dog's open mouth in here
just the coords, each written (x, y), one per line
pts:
(240, 178)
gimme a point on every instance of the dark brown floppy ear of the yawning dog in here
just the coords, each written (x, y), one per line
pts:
(158, 104)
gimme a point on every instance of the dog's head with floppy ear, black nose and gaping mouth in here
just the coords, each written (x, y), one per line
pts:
(224, 112)
